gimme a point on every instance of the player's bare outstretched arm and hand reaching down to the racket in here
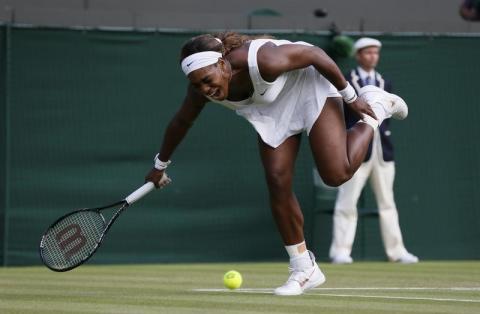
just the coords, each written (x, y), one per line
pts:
(178, 127)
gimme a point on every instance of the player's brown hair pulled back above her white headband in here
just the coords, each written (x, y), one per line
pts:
(207, 42)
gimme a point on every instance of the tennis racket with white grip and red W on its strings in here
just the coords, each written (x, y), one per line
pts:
(72, 239)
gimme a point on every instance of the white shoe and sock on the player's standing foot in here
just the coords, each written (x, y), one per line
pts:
(304, 275)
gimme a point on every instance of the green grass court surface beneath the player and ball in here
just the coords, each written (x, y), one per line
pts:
(169, 289)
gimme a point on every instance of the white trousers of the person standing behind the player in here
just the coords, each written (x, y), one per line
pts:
(382, 175)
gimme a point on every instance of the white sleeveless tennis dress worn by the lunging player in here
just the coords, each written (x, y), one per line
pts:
(289, 105)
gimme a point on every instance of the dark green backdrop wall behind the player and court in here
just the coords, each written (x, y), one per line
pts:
(83, 113)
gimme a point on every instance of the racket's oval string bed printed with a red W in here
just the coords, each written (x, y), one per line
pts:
(71, 240)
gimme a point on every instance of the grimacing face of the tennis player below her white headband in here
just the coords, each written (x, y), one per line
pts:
(211, 81)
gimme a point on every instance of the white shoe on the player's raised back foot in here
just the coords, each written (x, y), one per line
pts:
(393, 105)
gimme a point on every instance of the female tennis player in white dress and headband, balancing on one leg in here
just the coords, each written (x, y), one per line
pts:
(282, 88)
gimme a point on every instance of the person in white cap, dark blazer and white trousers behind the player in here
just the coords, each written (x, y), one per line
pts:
(378, 166)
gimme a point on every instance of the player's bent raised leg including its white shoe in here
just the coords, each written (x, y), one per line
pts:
(338, 152)
